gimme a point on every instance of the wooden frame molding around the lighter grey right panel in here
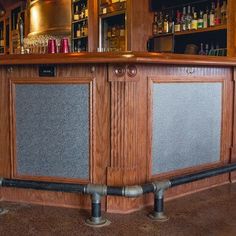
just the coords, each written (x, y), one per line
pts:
(225, 123)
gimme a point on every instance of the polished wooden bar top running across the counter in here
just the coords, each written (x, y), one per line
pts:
(121, 57)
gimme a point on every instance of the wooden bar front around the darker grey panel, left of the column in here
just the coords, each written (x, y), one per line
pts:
(100, 129)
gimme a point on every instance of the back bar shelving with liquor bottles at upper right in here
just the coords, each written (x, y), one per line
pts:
(216, 33)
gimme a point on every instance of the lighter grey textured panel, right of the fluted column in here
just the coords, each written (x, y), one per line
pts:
(186, 125)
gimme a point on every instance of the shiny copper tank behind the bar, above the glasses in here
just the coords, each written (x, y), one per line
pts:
(49, 17)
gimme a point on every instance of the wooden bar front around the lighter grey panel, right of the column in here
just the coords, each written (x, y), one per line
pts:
(173, 74)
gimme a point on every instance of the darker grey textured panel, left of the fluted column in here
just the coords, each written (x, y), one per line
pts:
(52, 130)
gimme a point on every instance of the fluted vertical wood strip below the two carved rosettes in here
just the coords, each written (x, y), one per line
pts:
(124, 125)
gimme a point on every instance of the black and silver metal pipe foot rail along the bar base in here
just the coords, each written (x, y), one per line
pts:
(98, 191)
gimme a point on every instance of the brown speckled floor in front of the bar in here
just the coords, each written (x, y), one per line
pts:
(210, 212)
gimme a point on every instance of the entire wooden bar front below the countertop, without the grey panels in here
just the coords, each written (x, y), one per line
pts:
(121, 128)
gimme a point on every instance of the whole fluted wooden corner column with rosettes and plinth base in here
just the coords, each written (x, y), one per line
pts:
(126, 135)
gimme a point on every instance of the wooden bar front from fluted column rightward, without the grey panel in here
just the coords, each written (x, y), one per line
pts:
(138, 93)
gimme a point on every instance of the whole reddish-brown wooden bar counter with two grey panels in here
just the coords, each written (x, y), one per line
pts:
(115, 119)
